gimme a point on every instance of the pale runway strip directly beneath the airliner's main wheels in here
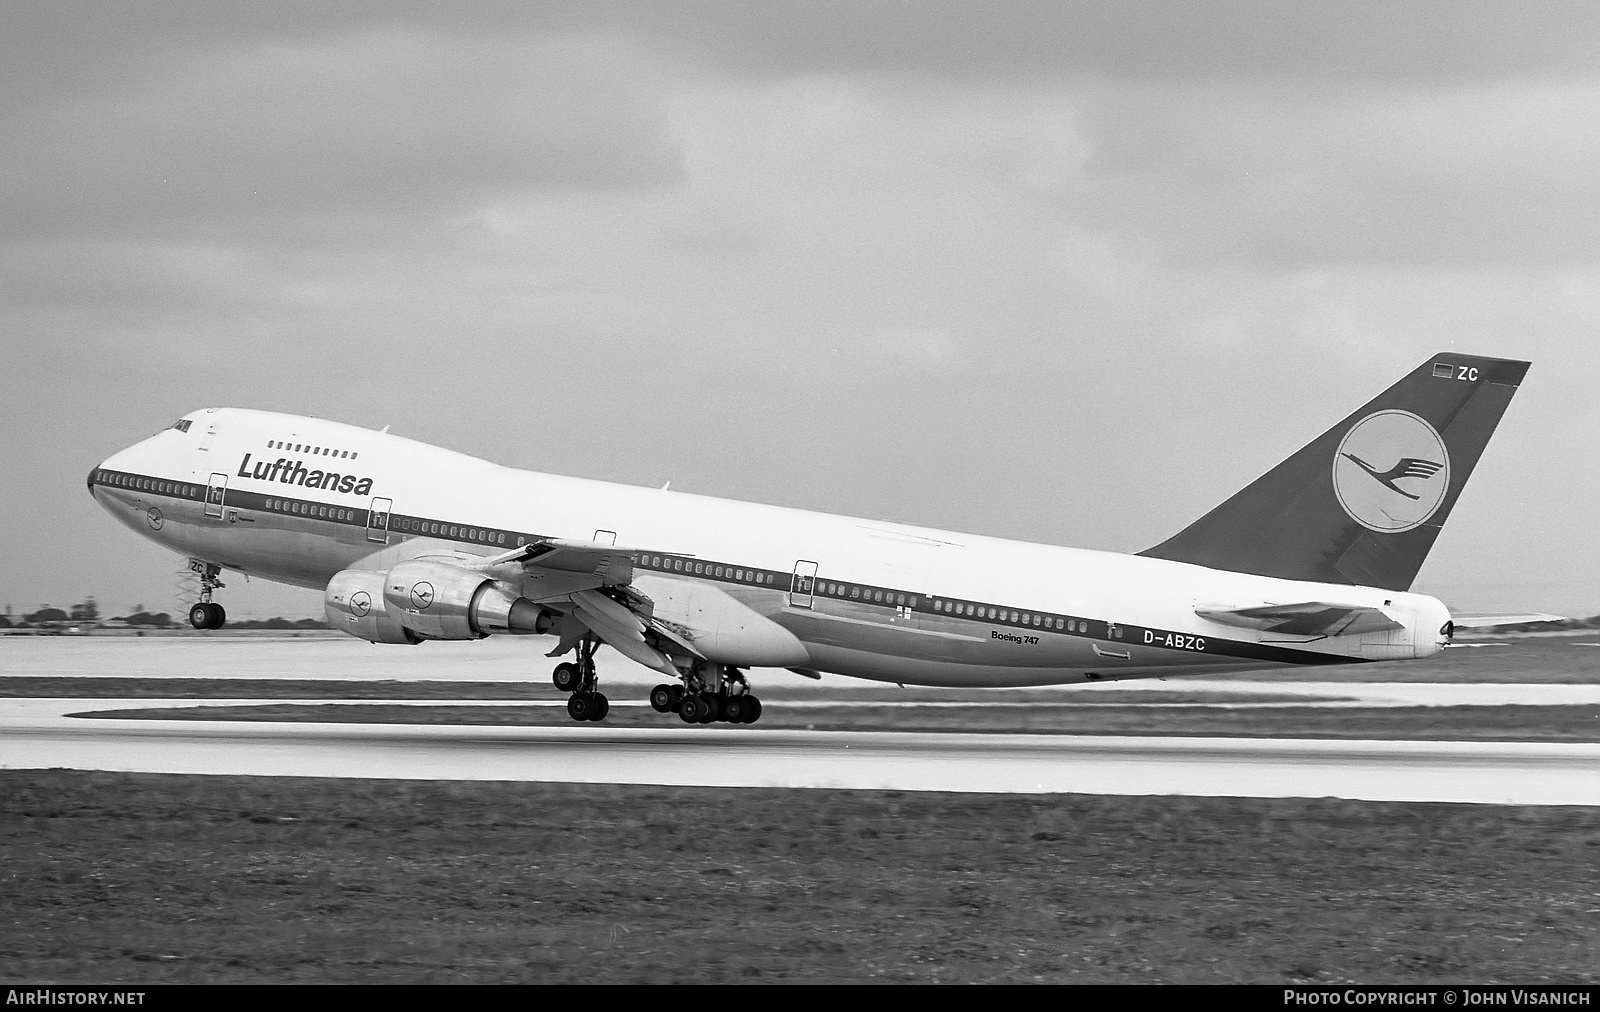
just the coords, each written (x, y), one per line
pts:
(36, 734)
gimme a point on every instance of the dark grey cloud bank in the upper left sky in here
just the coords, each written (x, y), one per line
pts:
(375, 121)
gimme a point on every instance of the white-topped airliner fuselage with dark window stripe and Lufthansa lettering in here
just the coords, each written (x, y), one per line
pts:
(884, 601)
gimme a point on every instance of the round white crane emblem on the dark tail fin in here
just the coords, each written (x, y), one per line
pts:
(1391, 472)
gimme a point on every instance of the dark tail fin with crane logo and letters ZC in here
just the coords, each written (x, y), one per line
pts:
(1364, 502)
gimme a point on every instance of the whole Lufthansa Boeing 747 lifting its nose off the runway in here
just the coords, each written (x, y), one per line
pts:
(1308, 566)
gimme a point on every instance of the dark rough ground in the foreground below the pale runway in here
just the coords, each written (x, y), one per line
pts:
(154, 878)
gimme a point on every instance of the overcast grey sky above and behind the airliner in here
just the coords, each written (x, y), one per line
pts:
(1070, 273)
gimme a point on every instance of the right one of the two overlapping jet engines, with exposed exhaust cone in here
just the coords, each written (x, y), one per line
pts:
(444, 601)
